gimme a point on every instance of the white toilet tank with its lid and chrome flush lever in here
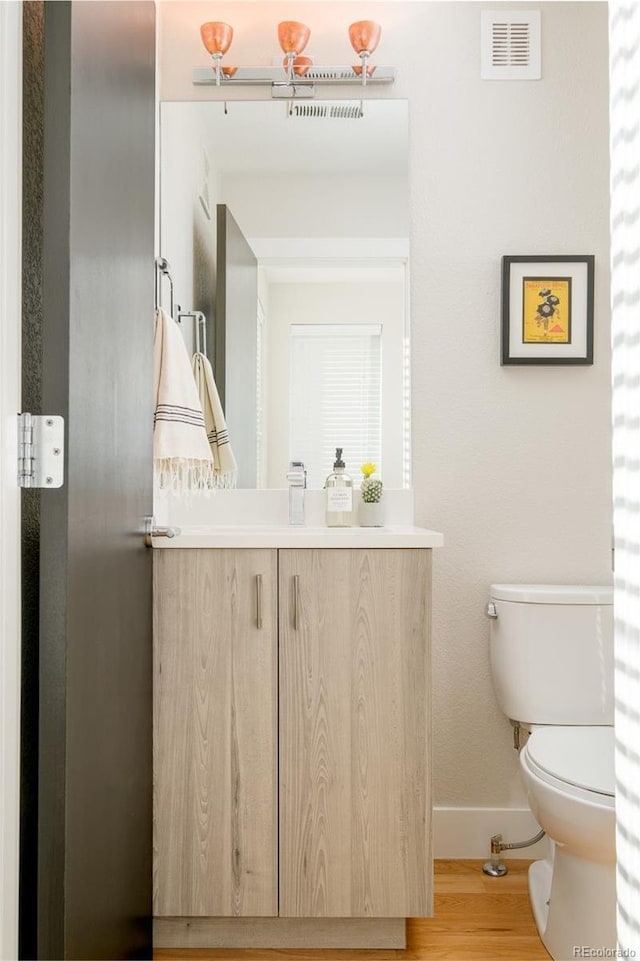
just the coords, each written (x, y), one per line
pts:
(551, 652)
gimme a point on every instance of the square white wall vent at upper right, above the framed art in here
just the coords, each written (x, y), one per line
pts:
(510, 45)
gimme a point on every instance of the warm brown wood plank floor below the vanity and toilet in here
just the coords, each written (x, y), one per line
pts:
(476, 919)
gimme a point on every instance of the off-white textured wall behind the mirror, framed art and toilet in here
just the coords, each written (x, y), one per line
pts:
(513, 464)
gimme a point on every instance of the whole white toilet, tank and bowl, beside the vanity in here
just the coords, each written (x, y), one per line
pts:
(552, 664)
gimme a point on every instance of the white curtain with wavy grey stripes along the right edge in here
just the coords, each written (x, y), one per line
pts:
(624, 36)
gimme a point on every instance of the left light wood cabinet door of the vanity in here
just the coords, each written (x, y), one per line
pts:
(215, 733)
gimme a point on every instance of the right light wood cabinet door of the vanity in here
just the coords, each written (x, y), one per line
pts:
(355, 812)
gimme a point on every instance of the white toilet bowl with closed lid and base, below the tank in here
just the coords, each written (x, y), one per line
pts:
(569, 779)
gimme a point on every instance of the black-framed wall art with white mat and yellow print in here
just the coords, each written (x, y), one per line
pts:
(547, 310)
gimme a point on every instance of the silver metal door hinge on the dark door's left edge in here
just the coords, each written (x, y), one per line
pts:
(40, 450)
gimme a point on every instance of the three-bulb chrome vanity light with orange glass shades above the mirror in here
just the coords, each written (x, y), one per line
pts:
(298, 76)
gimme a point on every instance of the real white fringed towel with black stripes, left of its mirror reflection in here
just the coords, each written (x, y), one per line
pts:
(182, 457)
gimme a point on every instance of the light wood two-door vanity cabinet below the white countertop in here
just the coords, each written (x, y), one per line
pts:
(291, 744)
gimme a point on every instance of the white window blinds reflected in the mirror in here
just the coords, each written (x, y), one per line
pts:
(335, 397)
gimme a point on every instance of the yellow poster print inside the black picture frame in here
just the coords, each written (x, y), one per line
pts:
(546, 310)
